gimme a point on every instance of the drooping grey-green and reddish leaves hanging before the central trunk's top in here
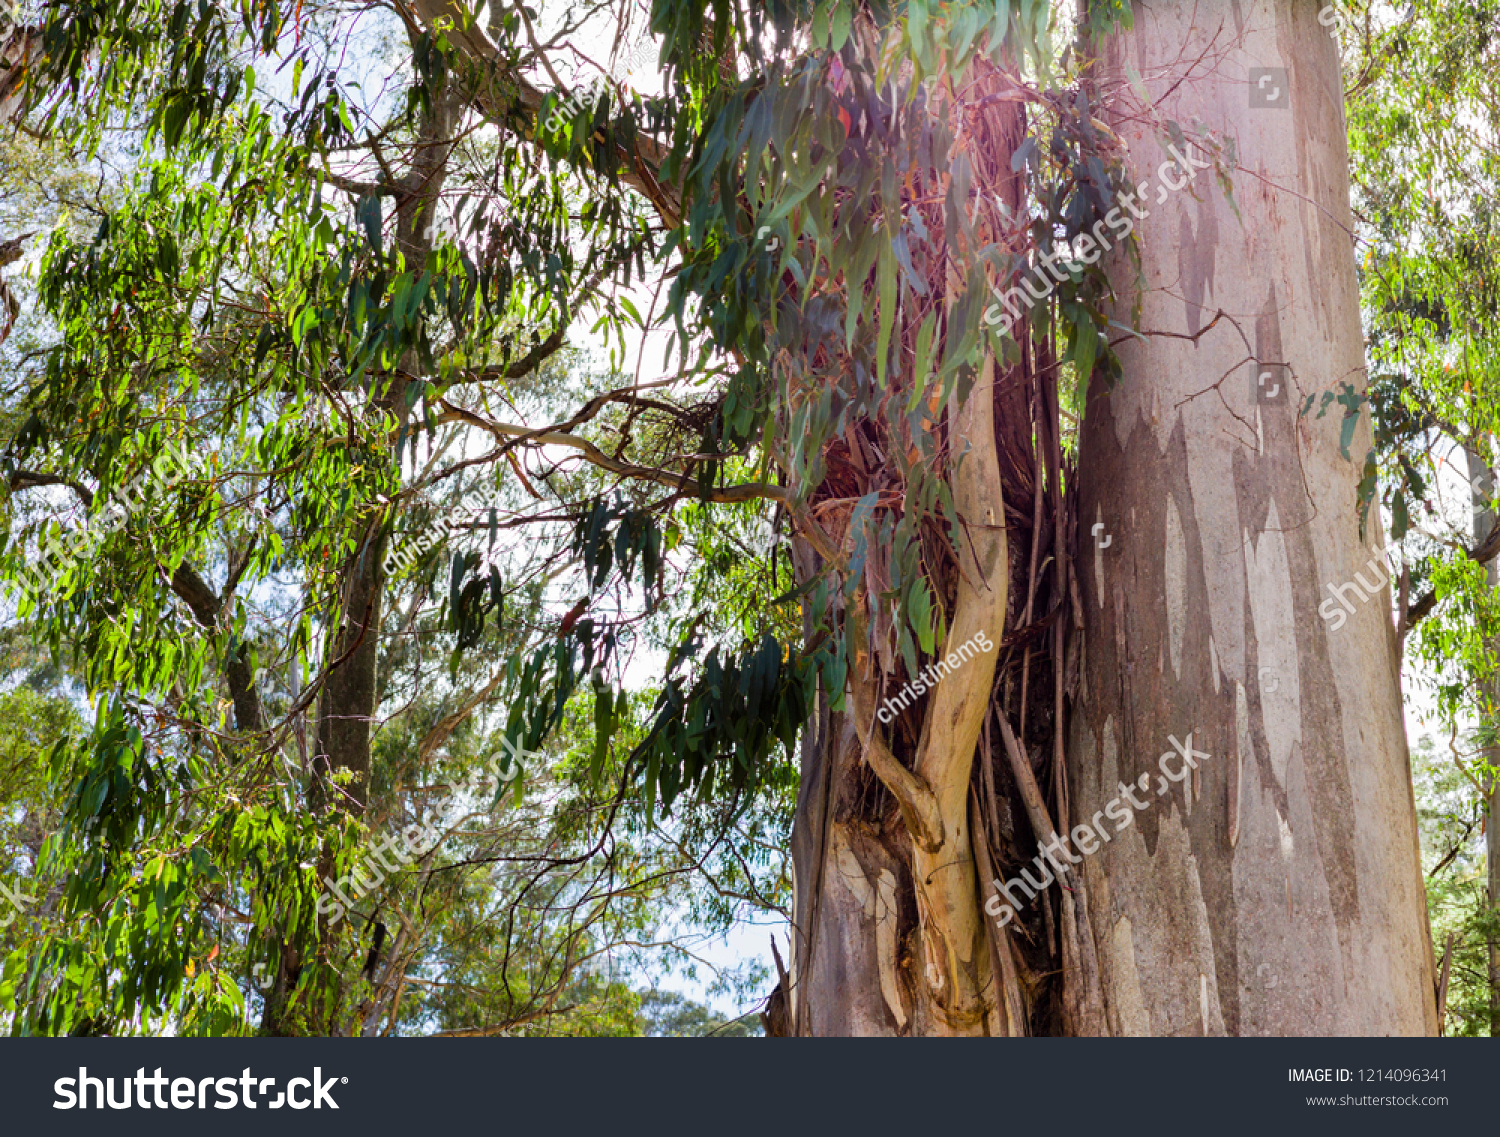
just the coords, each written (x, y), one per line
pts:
(803, 254)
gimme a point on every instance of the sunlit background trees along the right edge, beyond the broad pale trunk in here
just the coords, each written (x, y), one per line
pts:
(1423, 130)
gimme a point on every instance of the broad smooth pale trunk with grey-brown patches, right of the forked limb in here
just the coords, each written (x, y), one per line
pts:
(1277, 892)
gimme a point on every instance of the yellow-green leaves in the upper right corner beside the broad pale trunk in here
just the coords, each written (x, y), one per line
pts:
(1426, 188)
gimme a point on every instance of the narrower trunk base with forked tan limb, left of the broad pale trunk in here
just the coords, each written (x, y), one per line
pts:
(889, 937)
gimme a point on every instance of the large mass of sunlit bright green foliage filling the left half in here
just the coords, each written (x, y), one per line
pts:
(301, 331)
